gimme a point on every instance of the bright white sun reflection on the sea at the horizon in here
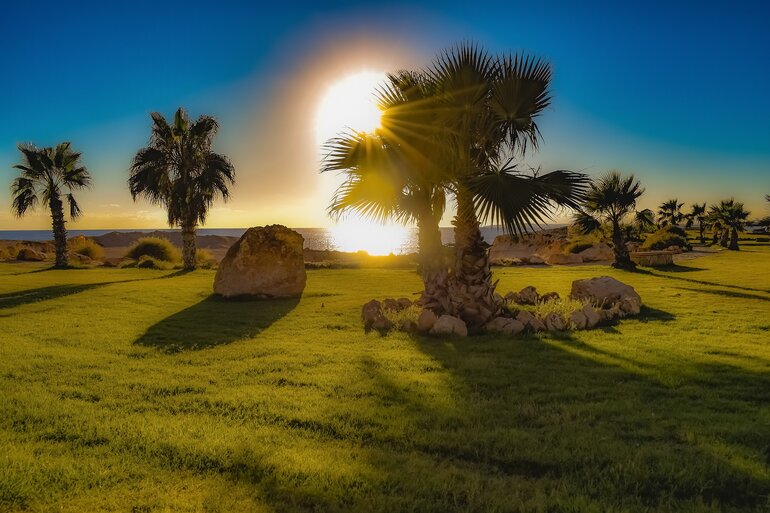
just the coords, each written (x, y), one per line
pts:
(375, 239)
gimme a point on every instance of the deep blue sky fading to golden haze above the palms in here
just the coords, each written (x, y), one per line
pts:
(676, 93)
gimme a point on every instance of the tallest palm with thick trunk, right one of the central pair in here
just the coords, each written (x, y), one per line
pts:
(487, 108)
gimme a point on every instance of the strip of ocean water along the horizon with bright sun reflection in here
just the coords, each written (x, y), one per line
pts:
(376, 240)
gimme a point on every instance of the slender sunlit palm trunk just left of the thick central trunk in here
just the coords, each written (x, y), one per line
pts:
(433, 266)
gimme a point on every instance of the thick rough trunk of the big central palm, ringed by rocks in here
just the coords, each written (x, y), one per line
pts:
(472, 293)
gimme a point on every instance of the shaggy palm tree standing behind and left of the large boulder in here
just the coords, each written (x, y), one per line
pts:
(179, 171)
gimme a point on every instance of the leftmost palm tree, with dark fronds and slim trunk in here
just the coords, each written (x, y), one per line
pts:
(46, 175)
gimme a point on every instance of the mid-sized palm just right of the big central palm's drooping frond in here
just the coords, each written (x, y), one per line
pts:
(610, 199)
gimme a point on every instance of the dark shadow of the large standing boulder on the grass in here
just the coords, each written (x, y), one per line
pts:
(215, 321)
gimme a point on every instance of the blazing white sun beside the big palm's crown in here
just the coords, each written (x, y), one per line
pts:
(349, 104)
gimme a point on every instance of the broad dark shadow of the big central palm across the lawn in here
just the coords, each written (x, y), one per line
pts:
(603, 434)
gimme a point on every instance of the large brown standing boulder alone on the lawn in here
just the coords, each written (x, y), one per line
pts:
(265, 262)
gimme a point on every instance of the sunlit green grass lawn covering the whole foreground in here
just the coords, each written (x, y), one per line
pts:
(136, 390)
